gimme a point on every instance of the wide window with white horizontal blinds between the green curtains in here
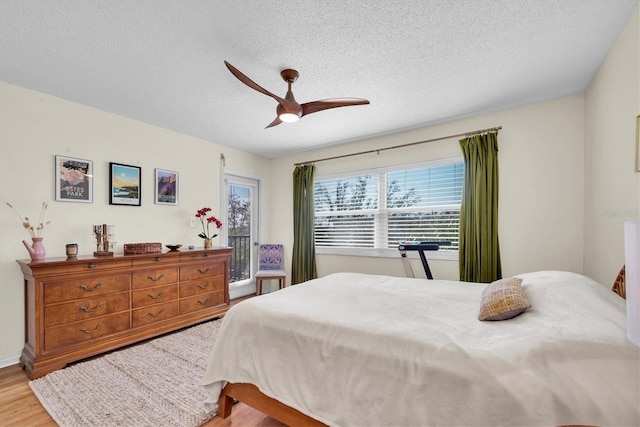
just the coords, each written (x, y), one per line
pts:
(370, 212)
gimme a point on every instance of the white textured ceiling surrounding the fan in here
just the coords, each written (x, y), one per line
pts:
(418, 62)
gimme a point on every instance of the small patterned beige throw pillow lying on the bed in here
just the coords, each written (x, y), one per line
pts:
(503, 299)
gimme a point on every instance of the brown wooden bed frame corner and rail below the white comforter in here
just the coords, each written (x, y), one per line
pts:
(250, 395)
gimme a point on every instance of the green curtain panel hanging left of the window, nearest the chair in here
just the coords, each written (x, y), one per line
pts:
(303, 264)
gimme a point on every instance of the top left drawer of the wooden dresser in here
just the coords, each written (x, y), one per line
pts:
(83, 288)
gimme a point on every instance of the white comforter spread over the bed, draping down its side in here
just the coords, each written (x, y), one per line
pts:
(361, 350)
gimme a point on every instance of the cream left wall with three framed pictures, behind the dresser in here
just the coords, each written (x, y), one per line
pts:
(34, 127)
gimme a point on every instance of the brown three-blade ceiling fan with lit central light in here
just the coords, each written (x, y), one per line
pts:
(288, 109)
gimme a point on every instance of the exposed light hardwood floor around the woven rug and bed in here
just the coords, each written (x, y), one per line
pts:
(19, 406)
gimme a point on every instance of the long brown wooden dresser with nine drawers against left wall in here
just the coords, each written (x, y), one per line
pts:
(83, 307)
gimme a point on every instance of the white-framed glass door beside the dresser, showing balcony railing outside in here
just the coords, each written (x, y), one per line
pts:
(242, 228)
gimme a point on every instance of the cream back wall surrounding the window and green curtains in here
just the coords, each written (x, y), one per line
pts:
(541, 158)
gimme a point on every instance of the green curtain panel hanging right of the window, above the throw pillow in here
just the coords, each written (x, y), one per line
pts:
(479, 250)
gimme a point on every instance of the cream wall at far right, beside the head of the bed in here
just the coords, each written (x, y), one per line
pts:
(612, 104)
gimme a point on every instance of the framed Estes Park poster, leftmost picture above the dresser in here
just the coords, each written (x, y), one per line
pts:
(74, 180)
